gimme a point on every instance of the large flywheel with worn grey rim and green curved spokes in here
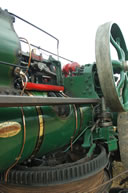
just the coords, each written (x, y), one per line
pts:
(112, 73)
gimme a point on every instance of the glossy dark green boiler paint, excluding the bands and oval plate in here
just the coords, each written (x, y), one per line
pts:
(57, 131)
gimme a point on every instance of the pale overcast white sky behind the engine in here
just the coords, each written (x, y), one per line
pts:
(73, 22)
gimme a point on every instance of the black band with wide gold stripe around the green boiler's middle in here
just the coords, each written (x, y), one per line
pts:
(41, 129)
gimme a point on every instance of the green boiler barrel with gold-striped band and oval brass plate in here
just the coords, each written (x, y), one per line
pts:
(38, 130)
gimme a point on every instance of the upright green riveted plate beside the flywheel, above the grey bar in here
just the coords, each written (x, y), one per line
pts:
(81, 85)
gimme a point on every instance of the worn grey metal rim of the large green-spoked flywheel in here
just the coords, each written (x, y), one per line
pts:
(104, 65)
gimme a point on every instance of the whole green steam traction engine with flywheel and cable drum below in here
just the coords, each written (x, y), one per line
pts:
(60, 130)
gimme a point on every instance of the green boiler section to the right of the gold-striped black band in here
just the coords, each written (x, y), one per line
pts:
(58, 131)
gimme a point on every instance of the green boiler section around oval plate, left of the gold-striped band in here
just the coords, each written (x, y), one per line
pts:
(12, 145)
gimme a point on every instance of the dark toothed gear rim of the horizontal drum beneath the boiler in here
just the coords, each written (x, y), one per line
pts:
(60, 174)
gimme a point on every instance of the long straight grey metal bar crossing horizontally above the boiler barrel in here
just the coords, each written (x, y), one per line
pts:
(17, 101)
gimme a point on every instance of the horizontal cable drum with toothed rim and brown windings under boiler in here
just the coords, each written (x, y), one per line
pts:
(79, 176)
